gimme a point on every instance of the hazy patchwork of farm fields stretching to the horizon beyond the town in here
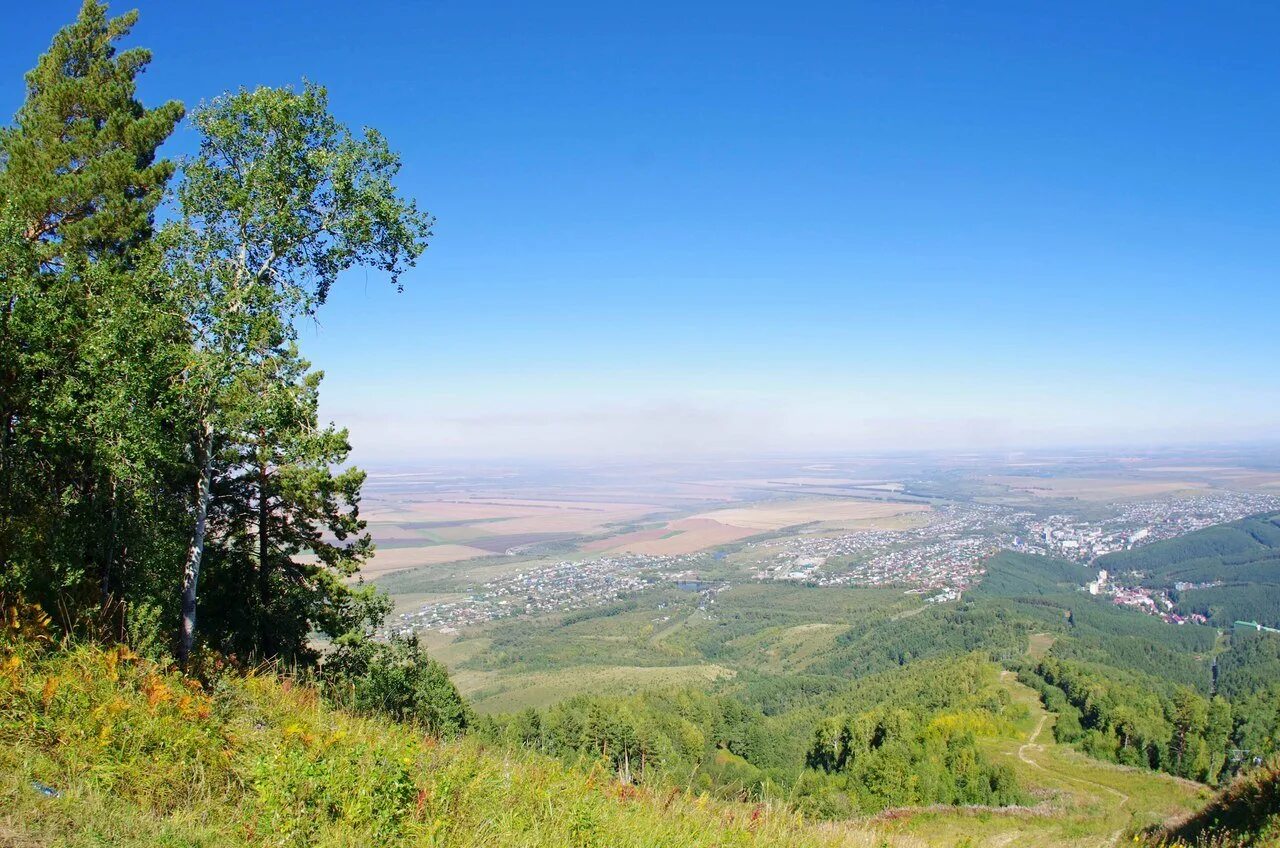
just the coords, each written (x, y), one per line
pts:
(441, 519)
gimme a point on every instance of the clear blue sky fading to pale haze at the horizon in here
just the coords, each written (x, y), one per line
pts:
(703, 227)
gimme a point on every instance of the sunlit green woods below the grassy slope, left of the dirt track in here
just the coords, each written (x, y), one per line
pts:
(907, 737)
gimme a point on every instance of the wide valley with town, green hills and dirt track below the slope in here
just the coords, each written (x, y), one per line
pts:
(865, 595)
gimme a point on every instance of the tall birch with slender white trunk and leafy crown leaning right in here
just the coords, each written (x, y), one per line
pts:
(280, 202)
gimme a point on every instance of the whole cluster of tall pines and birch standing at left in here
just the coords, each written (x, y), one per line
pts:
(164, 476)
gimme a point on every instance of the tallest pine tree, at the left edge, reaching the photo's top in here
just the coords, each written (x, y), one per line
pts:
(84, 335)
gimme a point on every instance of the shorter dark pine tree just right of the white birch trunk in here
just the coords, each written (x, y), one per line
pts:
(292, 532)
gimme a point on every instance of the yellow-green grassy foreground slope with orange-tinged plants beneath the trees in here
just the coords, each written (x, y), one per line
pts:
(141, 756)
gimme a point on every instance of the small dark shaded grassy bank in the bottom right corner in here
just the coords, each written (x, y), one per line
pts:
(1246, 813)
